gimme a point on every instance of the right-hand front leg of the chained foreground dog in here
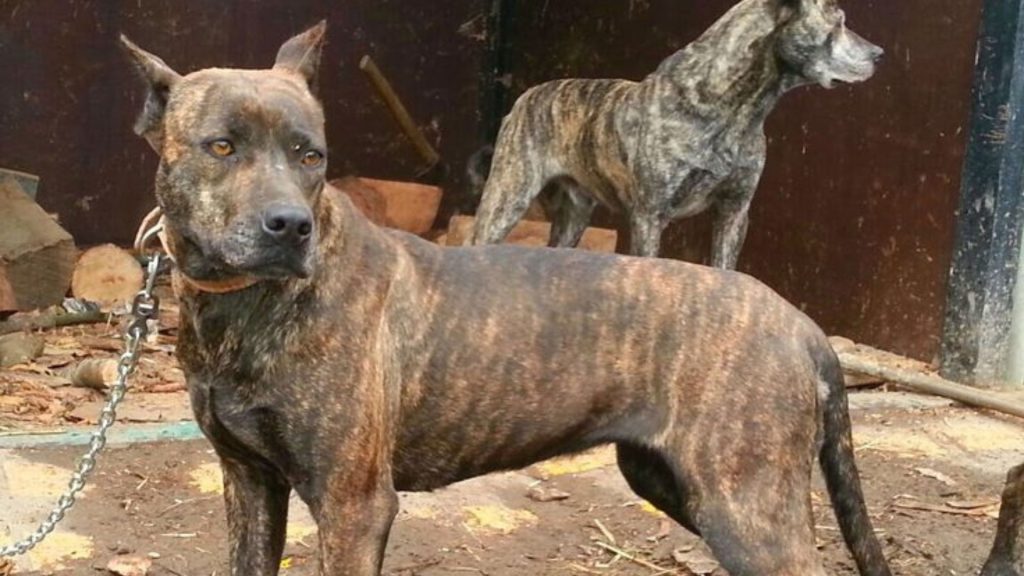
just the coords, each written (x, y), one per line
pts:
(355, 518)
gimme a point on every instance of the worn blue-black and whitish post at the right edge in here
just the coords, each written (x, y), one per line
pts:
(979, 306)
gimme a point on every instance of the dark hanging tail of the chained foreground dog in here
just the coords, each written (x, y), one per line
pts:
(841, 471)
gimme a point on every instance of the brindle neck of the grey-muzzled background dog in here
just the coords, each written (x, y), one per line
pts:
(733, 70)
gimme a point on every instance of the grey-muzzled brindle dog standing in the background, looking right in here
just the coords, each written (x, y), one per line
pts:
(689, 138)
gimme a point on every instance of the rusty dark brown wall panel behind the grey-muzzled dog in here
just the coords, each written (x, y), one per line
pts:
(856, 216)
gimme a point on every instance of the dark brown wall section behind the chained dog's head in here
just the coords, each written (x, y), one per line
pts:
(68, 99)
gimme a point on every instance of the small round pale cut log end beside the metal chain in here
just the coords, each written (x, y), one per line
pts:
(107, 275)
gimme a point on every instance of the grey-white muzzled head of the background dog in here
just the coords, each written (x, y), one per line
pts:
(817, 46)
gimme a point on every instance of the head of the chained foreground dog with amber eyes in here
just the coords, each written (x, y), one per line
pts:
(243, 159)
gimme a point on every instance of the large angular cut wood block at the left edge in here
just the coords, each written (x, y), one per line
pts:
(37, 257)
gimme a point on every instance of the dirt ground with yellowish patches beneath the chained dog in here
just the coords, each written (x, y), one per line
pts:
(932, 472)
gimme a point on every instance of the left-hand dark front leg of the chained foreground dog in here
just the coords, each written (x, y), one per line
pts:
(257, 500)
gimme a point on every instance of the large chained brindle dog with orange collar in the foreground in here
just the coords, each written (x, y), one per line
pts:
(349, 362)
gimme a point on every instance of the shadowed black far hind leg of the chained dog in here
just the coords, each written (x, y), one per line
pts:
(651, 476)
